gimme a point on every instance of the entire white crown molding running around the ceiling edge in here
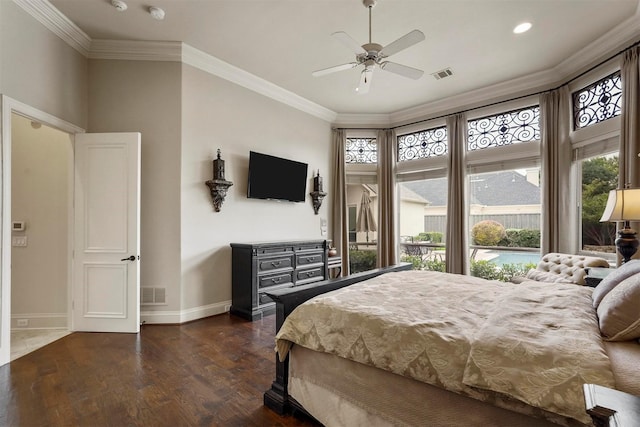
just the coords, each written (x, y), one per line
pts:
(616, 39)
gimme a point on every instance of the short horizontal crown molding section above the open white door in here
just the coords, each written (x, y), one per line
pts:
(133, 50)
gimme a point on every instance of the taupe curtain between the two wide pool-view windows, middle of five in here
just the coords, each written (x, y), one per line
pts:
(457, 211)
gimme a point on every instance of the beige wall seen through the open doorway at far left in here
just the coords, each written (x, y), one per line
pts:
(41, 163)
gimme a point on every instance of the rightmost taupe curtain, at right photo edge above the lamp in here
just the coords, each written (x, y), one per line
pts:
(630, 132)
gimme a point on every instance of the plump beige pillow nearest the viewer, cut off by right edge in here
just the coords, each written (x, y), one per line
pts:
(619, 311)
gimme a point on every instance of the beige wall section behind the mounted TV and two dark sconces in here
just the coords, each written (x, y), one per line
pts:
(218, 114)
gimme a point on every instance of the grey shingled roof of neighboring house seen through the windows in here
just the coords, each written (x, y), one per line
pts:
(489, 189)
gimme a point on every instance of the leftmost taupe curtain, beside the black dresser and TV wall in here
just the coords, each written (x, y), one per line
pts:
(339, 230)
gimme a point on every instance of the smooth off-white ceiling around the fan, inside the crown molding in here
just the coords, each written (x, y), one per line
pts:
(283, 41)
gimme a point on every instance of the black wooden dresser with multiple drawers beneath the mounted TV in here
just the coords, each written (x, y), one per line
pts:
(258, 267)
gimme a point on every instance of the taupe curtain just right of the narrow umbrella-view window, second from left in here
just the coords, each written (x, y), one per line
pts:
(387, 241)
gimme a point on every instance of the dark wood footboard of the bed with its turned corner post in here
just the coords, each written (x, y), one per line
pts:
(277, 397)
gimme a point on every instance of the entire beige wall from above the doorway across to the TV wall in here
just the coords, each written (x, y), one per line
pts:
(184, 243)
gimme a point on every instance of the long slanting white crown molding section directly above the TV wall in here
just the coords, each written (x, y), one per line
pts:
(210, 64)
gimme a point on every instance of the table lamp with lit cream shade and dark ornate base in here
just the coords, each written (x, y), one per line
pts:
(624, 205)
